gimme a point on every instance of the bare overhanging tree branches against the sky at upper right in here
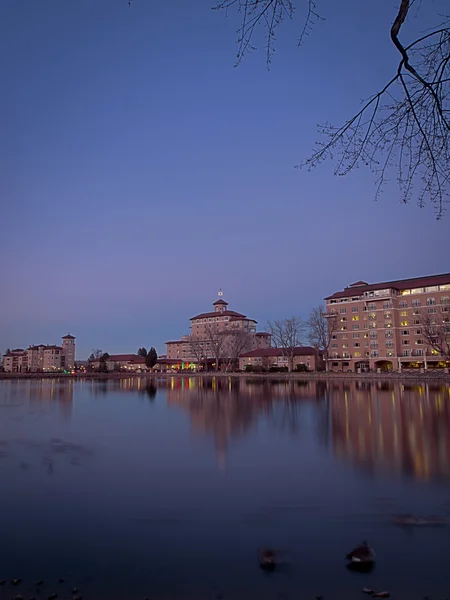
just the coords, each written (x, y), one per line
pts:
(404, 128)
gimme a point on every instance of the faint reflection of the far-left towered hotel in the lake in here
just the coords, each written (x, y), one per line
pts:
(40, 392)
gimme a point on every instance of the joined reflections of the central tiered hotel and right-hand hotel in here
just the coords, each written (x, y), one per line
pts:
(393, 427)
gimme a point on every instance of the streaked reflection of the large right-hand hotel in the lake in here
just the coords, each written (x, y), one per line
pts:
(397, 427)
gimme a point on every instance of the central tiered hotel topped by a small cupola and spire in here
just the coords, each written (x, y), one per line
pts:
(206, 327)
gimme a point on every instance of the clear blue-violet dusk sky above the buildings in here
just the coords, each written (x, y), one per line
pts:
(141, 171)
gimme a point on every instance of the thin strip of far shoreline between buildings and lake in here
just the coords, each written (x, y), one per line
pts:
(432, 375)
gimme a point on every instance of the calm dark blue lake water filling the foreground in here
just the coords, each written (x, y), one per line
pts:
(165, 489)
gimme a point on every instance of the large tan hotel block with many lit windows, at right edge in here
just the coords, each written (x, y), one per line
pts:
(380, 325)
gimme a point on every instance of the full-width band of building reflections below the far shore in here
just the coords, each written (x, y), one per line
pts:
(391, 427)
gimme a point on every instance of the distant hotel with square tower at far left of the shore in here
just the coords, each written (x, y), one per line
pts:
(41, 358)
